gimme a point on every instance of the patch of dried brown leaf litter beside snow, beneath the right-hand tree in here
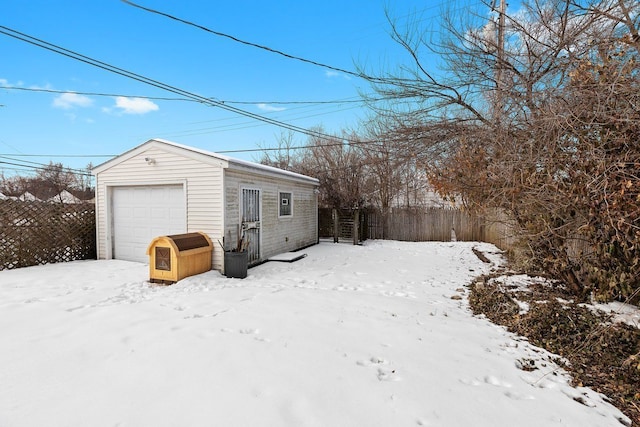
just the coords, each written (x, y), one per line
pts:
(602, 355)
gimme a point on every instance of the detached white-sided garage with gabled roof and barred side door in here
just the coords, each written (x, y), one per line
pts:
(162, 188)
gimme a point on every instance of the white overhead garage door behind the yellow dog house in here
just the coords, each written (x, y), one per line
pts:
(140, 214)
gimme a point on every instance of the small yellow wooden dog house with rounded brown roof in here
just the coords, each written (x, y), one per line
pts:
(172, 258)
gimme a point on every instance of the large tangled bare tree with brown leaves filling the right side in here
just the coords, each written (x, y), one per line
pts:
(529, 106)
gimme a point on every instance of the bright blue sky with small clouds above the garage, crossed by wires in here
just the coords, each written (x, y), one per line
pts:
(76, 129)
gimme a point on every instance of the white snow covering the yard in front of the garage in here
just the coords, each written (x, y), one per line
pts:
(348, 336)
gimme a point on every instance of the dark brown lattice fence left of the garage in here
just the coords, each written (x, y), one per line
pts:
(33, 233)
